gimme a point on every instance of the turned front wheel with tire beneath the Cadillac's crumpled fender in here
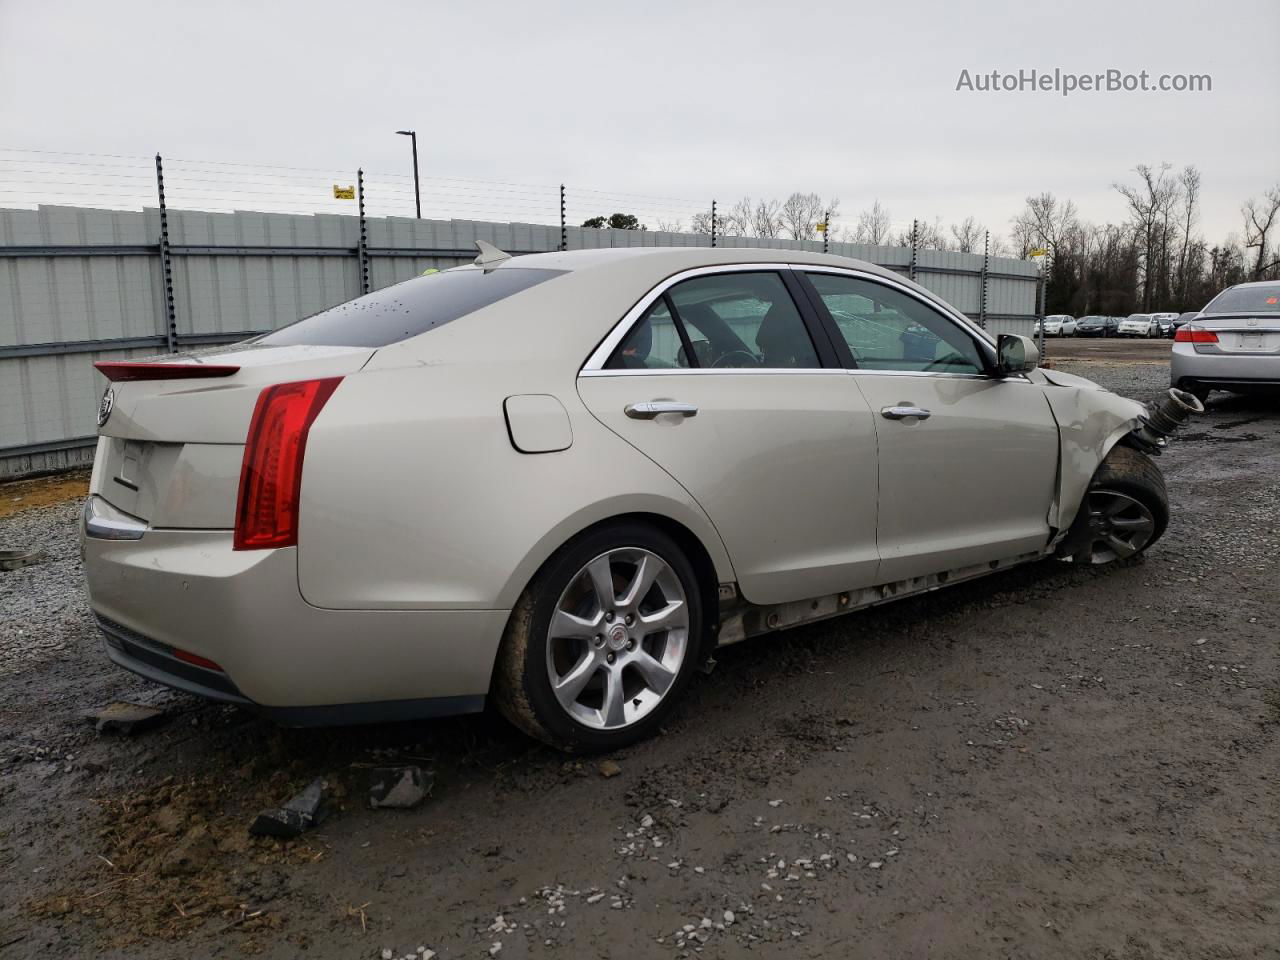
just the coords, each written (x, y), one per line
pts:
(1126, 510)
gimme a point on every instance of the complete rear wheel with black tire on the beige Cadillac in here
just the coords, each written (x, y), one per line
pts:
(604, 642)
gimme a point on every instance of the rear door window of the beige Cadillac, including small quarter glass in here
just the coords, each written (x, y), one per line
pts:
(742, 321)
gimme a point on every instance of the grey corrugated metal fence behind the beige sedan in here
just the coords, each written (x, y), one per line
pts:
(80, 285)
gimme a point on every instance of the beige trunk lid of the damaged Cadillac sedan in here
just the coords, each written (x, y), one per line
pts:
(170, 451)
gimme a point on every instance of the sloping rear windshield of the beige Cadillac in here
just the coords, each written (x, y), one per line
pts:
(408, 309)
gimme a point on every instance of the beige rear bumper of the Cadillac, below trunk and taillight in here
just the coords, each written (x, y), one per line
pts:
(188, 591)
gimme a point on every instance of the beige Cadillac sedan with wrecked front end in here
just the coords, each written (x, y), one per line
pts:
(559, 482)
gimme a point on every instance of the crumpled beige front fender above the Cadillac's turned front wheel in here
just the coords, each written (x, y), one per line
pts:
(1091, 422)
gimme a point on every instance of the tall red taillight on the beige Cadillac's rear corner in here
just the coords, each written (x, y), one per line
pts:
(267, 513)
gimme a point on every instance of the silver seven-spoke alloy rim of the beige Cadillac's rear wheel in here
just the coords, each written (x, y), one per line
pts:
(618, 638)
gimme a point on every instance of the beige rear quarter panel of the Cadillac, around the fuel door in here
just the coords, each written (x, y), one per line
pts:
(414, 496)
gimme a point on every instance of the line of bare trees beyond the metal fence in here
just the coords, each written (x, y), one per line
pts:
(1155, 259)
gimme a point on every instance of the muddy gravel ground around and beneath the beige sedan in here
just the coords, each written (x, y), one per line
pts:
(1054, 762)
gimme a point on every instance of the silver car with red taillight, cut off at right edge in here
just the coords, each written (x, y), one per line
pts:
(1235, 344)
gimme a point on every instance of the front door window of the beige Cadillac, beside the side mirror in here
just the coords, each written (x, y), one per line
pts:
(888, 330)
